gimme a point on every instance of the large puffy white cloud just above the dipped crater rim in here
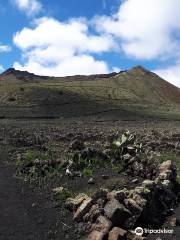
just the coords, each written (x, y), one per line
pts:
(61, 48)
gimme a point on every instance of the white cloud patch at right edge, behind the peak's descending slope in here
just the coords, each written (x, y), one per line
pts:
(171, 74)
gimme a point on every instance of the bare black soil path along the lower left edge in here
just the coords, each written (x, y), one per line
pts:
(23, 215)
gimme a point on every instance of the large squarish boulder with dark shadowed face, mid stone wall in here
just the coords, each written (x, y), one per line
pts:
(116, 212)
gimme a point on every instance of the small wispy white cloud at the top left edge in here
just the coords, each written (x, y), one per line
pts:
(30, 7)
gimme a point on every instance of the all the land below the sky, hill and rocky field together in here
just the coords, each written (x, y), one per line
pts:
(89, 157)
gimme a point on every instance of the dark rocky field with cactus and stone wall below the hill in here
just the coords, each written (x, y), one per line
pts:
(112, 180)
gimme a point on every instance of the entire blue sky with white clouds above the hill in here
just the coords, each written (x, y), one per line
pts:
(67, 37)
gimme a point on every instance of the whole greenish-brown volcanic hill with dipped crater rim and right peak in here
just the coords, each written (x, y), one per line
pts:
(132, 94)
